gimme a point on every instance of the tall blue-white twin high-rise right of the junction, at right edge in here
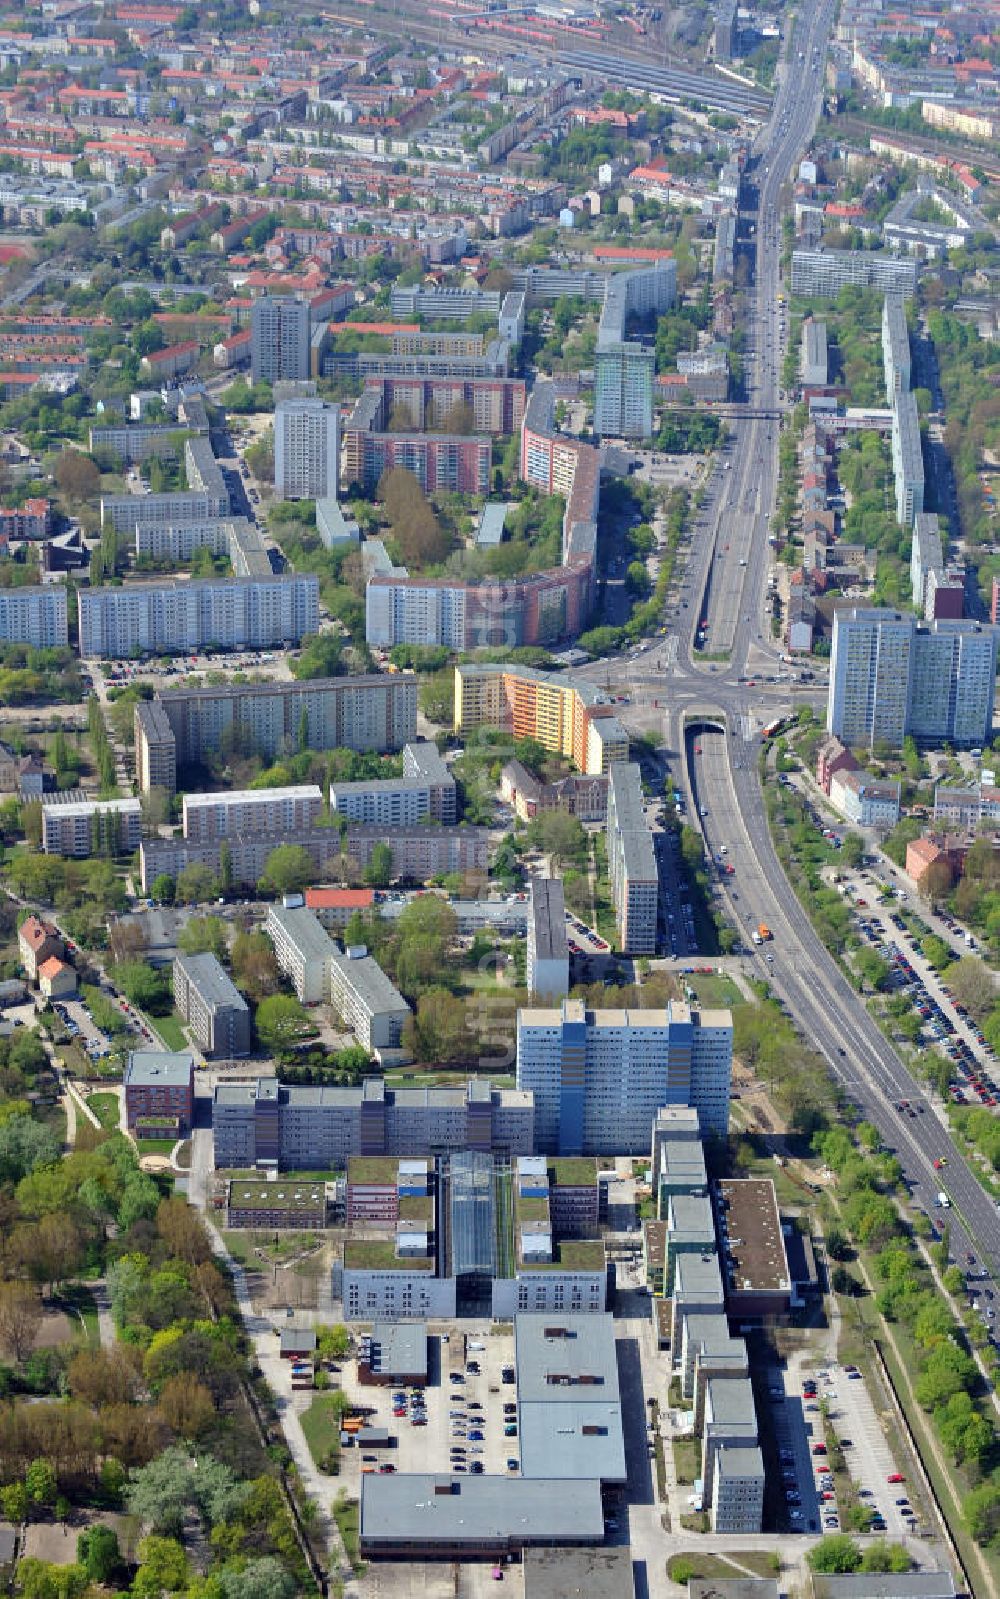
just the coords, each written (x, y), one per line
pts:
(892, 677)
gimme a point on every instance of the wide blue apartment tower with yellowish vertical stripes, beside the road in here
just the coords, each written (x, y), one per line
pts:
(601, 1077)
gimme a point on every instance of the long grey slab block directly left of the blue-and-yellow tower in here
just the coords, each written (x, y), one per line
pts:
(321, 1128)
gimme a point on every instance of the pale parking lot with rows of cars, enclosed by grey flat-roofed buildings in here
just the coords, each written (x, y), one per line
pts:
(457, 1424)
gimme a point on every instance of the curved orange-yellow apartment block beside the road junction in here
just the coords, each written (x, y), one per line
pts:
(566, 716)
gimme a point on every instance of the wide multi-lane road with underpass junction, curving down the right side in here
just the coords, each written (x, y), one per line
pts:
(708, 706)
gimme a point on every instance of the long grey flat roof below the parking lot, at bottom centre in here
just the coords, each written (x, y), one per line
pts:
(433, 1510)
